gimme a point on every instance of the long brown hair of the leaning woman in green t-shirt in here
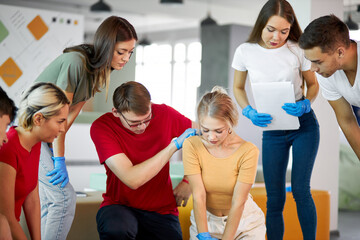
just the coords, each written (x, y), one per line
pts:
(98, 56)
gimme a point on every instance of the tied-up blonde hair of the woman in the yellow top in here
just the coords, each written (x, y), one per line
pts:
(217, 104)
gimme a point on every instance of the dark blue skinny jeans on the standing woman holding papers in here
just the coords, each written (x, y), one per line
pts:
(276, 145)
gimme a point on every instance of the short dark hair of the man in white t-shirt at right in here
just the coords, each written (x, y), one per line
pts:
(326, 32)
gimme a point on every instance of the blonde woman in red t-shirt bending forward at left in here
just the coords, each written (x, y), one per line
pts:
(42, 117)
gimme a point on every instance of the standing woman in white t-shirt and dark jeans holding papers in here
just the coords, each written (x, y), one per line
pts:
(272, 54)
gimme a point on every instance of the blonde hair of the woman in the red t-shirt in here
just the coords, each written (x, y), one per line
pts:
(44, 98)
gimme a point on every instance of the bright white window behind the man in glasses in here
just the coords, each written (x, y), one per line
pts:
(171, 72)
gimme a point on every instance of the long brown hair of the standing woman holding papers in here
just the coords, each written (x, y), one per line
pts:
(275, 8)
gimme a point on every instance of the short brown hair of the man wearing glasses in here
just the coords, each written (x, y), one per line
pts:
(132, 96)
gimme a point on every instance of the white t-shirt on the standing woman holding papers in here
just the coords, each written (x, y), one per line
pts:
(281, 64)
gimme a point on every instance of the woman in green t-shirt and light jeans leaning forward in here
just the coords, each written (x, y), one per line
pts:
(80, 71)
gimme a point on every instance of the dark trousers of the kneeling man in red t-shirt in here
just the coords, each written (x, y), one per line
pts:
(125, 223)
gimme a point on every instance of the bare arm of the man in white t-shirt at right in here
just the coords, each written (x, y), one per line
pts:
(347, 121)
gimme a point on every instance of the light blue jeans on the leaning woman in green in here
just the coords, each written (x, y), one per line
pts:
(57, 204)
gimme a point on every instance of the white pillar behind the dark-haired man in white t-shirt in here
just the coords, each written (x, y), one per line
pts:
(326, 170)
